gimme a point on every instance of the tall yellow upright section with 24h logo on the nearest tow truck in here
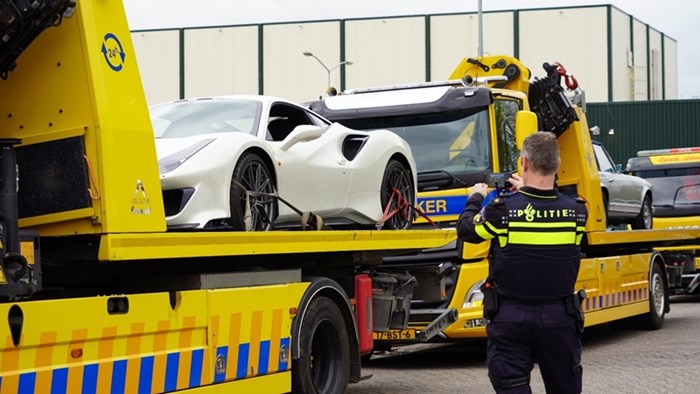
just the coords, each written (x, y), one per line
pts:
(86, 160)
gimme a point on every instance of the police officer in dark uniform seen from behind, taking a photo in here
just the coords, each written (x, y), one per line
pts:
(535, 256)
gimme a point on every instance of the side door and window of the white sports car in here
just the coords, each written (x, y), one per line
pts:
(311, 174)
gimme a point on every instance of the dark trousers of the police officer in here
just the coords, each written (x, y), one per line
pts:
(521, 334)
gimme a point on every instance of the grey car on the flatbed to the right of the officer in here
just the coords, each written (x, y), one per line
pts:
(627, 198)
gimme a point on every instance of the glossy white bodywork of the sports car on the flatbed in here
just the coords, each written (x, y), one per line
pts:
(311, 175)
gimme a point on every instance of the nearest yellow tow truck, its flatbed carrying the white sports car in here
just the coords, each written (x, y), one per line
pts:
(96, 295)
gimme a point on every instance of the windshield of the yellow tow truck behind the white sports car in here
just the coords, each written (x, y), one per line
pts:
(454, 141)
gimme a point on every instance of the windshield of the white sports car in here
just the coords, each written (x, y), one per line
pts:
(188, 118)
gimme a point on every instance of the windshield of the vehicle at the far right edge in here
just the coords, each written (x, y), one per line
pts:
(675, 188)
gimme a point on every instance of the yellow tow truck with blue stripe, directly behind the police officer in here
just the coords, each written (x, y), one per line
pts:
(469, 129)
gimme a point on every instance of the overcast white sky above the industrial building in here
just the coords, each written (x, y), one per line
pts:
(677, 19)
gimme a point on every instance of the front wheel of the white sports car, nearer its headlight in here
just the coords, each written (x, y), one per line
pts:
(252, 173)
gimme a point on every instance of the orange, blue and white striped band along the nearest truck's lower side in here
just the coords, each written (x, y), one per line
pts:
(158, 370)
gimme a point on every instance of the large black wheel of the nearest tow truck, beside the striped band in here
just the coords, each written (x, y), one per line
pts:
(324, 350)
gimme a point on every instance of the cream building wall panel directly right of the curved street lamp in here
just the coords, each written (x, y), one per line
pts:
(385, 51)
